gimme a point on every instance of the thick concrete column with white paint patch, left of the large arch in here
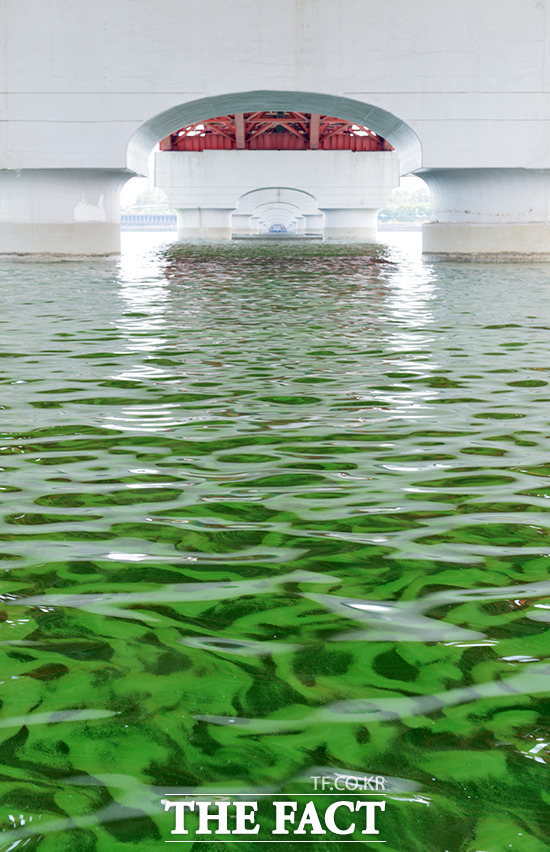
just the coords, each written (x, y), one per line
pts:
(65, 212)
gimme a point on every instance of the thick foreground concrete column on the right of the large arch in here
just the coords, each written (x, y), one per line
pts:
(488, 214)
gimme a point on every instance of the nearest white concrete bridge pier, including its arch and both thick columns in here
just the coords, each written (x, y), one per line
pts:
(88, 90)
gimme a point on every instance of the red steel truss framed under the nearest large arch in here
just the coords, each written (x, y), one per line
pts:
(275, 131)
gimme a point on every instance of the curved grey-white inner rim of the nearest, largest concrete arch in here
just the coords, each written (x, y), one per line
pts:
(399, 134)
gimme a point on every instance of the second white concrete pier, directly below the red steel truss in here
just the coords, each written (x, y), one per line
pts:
(204, 187)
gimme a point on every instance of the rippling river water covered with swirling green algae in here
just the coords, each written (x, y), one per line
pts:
(275, 513)
